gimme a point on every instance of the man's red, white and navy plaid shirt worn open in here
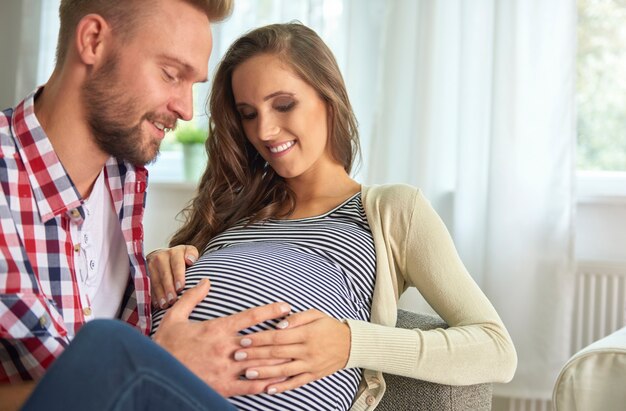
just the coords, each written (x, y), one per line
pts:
(40, 304)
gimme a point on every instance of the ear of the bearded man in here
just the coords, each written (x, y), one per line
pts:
(92, 34)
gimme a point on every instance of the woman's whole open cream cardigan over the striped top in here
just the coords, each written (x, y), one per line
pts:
(414, 248)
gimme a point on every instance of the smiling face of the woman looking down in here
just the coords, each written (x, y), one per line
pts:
(283, 117)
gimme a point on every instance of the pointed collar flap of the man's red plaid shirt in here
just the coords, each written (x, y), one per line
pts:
(52, 187)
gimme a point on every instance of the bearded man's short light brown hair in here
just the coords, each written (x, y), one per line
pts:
(122, 15)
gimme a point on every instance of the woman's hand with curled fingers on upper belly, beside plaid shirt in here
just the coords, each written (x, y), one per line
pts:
(167, 272)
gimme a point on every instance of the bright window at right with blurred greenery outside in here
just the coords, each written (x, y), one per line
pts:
(601, 85)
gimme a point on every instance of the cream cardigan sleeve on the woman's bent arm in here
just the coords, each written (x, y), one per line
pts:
(475, 349)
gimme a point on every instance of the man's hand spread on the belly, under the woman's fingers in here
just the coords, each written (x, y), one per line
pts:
(207, 348)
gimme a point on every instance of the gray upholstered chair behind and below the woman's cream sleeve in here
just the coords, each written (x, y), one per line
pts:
(404, 394)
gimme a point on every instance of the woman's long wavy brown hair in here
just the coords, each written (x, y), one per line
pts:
(238, 183)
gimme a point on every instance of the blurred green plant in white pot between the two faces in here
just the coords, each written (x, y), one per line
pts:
(194, 154)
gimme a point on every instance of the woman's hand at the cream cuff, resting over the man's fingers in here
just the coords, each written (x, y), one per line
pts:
(317, 344)
